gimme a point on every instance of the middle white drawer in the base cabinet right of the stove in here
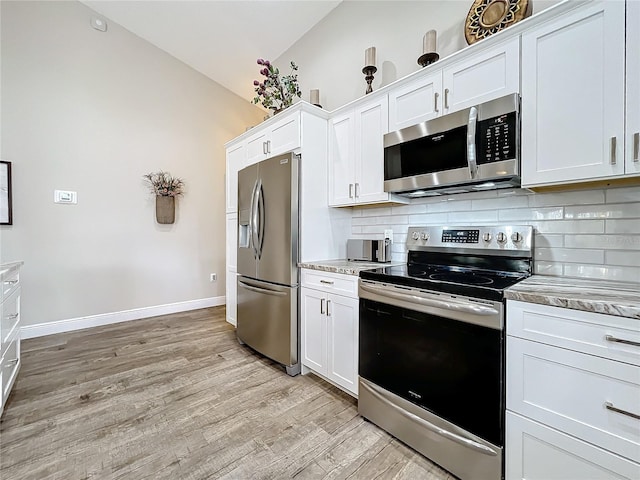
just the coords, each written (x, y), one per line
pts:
(570, 391)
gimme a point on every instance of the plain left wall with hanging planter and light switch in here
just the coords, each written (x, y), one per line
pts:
(92, 112)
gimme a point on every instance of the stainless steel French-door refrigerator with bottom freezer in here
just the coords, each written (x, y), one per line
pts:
(267, 318)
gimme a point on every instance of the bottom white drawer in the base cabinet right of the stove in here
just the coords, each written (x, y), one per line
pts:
(536, 452)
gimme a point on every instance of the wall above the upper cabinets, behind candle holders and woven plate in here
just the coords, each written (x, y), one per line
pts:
(331, 55)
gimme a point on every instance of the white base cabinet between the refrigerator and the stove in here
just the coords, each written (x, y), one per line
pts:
(329, 327)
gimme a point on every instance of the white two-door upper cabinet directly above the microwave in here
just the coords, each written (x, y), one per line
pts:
(488, 74)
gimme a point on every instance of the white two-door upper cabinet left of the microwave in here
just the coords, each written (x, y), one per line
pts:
(356, 155)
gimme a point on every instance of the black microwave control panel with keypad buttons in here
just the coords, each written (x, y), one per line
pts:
(496, 138)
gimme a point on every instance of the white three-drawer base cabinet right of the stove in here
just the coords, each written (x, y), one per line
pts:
(572, 393)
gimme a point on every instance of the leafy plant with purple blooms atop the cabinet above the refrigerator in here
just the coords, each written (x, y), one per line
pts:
(273, 92)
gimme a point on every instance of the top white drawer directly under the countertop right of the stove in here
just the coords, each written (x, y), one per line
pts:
(585, 332)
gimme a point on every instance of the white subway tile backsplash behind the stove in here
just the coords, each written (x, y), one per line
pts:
(586, 233)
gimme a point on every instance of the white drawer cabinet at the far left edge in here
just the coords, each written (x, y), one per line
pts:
(10, 321)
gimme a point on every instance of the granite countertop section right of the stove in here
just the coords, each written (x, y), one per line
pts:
(590, 295)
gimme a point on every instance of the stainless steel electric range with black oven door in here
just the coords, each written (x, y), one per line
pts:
(432, 351)
